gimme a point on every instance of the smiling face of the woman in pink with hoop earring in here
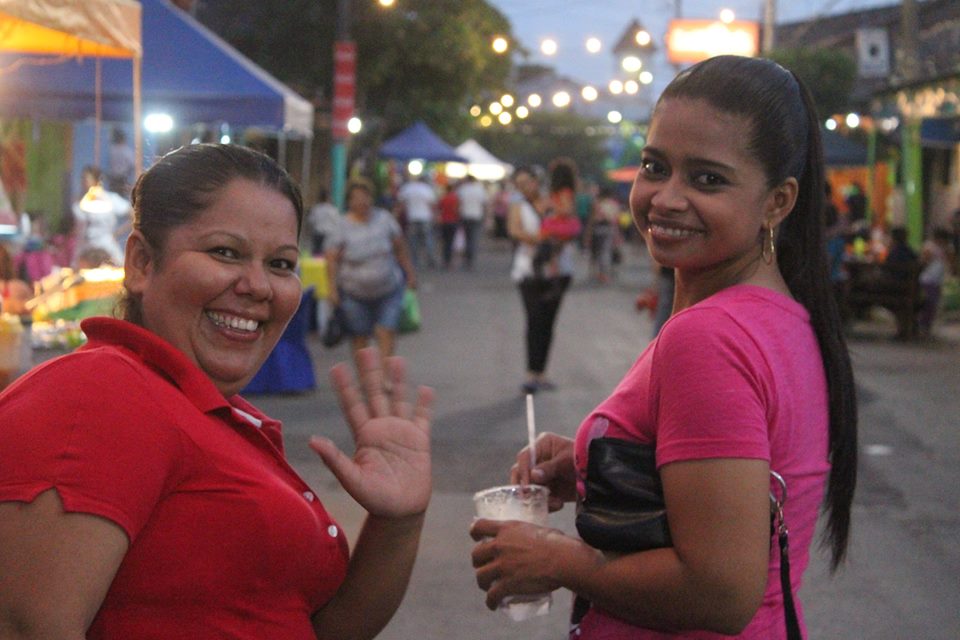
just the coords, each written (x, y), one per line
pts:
(700, 199)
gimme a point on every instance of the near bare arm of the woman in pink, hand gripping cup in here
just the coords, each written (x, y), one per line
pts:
(713, 577)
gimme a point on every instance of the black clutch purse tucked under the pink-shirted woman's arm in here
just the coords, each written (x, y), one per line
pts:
(622, 509)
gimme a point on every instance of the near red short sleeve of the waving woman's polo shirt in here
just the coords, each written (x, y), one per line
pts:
(88, 426)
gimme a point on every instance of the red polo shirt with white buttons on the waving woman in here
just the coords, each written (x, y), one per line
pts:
(226, 540)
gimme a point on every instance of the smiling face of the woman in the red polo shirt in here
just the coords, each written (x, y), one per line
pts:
(224, 285)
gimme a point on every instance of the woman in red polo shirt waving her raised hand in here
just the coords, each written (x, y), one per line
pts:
(141, 497)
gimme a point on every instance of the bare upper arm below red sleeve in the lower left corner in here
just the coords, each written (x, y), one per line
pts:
(55, 568)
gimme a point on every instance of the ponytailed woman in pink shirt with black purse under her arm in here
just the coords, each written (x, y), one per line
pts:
(749, 376)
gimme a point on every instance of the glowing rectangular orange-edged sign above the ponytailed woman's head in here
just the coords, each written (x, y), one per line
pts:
(696, 40)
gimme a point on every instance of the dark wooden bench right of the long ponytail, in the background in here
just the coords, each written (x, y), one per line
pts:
(895, 287)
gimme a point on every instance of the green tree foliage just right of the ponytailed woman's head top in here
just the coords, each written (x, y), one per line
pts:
(829, 74)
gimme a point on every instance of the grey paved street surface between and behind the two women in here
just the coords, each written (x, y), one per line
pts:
(903, 577)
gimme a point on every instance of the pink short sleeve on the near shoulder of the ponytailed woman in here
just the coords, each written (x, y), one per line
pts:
(710, 388)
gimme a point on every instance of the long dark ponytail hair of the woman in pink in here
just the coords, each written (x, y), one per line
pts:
(785, 140)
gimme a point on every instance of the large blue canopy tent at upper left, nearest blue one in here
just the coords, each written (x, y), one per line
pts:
(187, 72)
